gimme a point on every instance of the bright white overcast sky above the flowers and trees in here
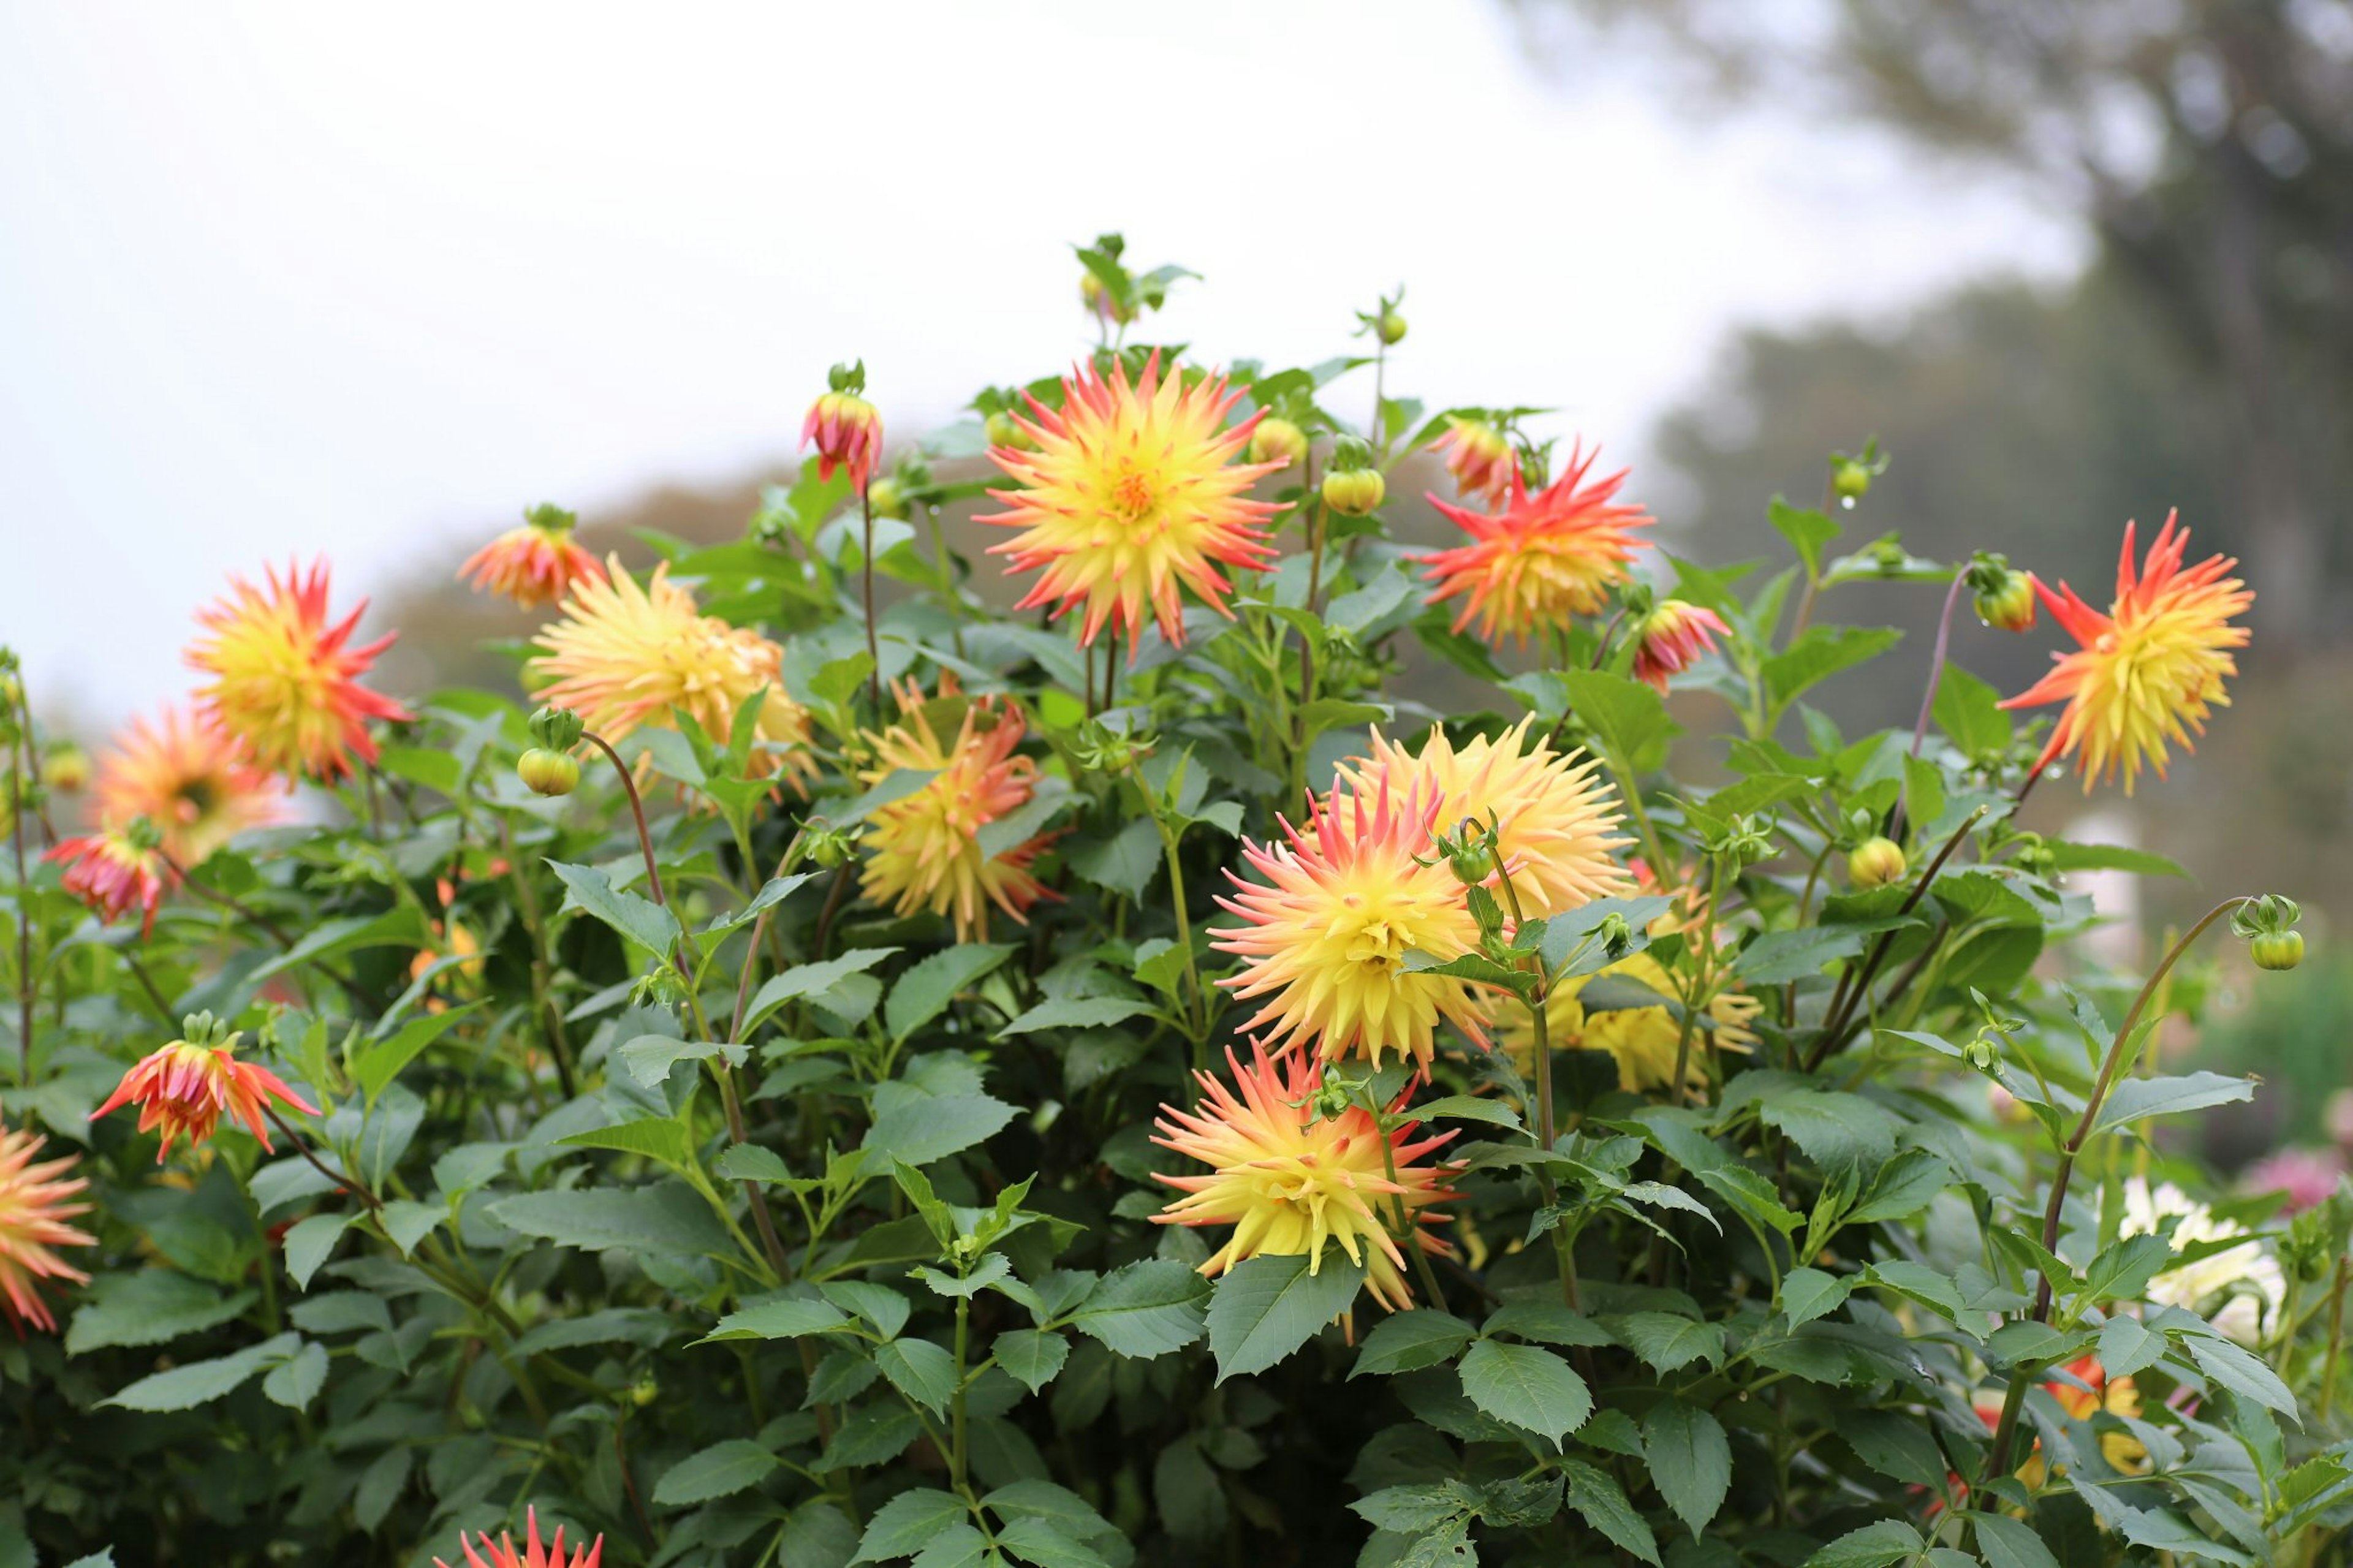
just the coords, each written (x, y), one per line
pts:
(373, 279)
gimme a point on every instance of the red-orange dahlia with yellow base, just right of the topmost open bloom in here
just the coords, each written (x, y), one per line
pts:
(1542, 559)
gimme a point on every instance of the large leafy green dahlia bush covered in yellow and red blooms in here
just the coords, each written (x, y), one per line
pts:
(1102, 988)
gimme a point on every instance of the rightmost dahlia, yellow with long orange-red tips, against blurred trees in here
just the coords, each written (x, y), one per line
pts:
(2149, 670)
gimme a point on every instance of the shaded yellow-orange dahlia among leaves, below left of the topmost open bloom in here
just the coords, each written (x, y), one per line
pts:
(926, 849)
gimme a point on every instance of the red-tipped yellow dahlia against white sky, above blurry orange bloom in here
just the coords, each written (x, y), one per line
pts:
(286, 684)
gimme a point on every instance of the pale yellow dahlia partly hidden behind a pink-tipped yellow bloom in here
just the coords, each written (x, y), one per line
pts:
(1554, 811)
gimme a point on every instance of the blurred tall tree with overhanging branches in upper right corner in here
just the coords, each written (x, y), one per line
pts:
(2211, 150)
